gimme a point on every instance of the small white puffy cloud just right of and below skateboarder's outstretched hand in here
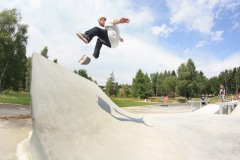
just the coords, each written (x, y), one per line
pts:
(162, 31)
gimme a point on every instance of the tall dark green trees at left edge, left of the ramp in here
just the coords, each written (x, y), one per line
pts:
(13, 41)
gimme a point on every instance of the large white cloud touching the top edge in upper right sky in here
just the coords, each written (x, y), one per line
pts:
(194, 15)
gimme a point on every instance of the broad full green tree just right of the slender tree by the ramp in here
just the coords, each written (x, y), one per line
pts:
(141, 85)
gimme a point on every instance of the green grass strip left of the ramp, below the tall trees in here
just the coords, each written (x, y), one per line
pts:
(11, 97)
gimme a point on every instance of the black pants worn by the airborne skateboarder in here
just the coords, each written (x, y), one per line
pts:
(102, 38)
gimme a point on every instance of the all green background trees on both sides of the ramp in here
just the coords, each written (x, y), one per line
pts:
(186, 81)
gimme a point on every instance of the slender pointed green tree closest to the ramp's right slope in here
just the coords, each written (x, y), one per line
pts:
(111, 86)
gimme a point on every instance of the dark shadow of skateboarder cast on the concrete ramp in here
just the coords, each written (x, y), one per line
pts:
(106, 107)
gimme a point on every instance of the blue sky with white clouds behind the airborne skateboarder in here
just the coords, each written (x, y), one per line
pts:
(161, 34)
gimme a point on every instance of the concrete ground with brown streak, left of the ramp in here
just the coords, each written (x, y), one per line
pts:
(15, 124)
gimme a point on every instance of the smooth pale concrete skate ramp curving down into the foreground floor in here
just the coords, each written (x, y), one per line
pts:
(73, 119)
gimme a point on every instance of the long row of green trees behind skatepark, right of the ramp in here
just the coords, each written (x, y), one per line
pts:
(187, 82)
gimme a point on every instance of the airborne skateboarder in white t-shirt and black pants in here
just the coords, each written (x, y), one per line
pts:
(110, 36)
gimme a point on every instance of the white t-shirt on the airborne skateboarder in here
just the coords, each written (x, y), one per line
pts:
(113, 34)
